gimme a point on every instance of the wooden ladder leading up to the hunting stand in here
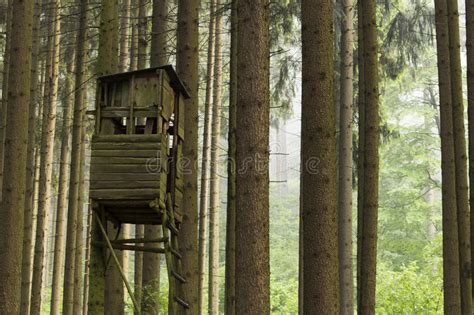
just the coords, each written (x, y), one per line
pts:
(176, 303)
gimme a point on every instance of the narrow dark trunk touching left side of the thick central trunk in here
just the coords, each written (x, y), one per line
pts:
(231, 171)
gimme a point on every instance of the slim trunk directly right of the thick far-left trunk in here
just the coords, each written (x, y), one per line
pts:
(27, 256)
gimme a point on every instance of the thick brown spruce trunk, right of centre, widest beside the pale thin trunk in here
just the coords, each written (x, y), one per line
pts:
(318, 162)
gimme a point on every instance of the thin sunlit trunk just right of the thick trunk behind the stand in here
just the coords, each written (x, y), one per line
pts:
(206, 152)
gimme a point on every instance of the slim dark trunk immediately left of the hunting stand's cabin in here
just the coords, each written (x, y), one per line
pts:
(76, 144)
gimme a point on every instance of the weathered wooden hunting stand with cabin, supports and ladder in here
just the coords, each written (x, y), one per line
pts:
(136, 165)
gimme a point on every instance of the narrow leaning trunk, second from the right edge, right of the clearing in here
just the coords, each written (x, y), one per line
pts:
(462, 190)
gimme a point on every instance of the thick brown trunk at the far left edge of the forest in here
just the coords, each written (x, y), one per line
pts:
(14, 176)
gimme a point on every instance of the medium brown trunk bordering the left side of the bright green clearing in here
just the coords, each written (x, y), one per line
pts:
(371, 160)
